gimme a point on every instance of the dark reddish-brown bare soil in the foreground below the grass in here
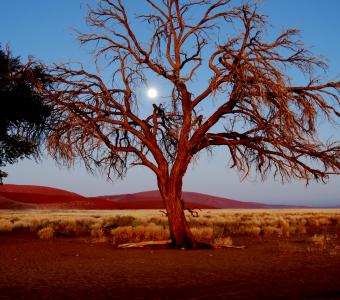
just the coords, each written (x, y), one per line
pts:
(72, 269)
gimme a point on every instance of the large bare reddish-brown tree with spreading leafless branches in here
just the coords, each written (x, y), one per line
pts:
(250, 105)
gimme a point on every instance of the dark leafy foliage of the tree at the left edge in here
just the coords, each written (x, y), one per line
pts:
(24, 117)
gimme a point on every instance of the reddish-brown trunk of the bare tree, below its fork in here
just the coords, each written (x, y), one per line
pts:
(180, 232)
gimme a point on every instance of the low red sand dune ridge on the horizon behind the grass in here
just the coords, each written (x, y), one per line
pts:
(30, 196)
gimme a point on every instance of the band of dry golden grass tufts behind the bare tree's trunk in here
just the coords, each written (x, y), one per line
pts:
(319, 226)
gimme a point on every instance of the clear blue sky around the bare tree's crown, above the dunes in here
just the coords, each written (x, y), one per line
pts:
(44, 29)
